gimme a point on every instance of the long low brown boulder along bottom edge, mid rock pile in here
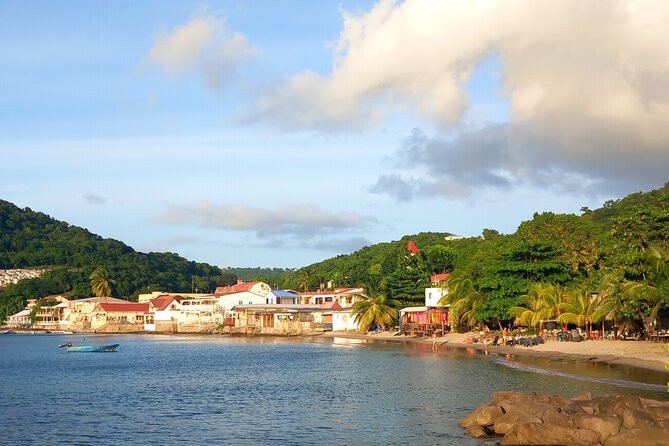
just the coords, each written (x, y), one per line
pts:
(544, 434)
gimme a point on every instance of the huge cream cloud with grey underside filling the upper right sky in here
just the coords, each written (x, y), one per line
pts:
(587, 85)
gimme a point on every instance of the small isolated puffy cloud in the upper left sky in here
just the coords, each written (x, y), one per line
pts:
(203, 45)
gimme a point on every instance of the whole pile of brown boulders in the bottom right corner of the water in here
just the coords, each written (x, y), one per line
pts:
(534, 419)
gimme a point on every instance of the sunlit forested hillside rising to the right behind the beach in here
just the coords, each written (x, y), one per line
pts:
(624, 243)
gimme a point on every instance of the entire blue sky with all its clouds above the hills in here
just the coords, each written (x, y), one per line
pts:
(278, 134)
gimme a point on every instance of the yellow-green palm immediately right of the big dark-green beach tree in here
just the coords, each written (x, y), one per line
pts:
(545, 301)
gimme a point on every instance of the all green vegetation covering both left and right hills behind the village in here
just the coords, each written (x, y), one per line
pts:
(604, 266)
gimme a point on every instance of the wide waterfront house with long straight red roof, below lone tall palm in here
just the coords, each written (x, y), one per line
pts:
(119, 317)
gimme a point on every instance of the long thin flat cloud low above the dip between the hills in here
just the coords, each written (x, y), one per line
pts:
(305, 219)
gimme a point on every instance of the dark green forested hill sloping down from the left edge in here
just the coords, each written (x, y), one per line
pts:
(33, 239)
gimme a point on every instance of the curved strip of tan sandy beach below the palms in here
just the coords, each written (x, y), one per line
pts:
(641, 354)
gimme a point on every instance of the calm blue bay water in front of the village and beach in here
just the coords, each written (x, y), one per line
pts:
(218, 390)
